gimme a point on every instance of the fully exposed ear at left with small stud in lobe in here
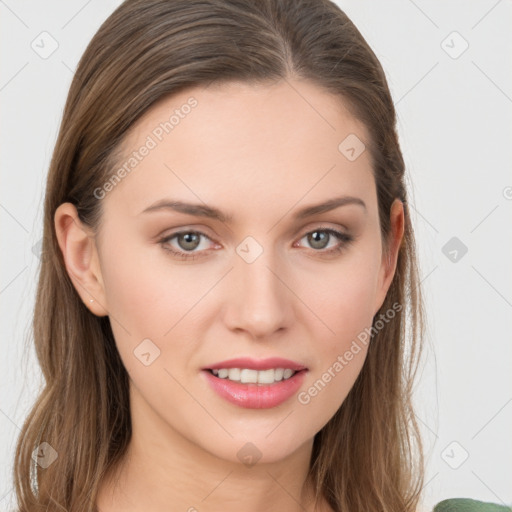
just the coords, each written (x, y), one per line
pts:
(78, 246)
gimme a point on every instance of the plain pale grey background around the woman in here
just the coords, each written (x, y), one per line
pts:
(454, 112)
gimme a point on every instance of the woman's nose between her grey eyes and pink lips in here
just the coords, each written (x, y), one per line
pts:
(260, 301)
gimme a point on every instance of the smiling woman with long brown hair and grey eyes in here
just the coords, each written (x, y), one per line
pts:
(228, 265)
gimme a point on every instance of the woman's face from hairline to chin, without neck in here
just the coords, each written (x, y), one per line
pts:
(255, 271)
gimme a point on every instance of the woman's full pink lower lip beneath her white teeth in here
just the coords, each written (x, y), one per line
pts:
(256, 396)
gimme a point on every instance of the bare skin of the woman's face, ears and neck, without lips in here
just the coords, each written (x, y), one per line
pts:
(259, 153)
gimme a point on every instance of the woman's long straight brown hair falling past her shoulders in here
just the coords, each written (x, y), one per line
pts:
(369, 455)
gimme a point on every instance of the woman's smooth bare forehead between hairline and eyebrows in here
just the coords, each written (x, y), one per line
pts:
(248, 145)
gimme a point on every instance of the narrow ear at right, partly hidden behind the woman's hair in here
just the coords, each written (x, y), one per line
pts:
(389, 260)
